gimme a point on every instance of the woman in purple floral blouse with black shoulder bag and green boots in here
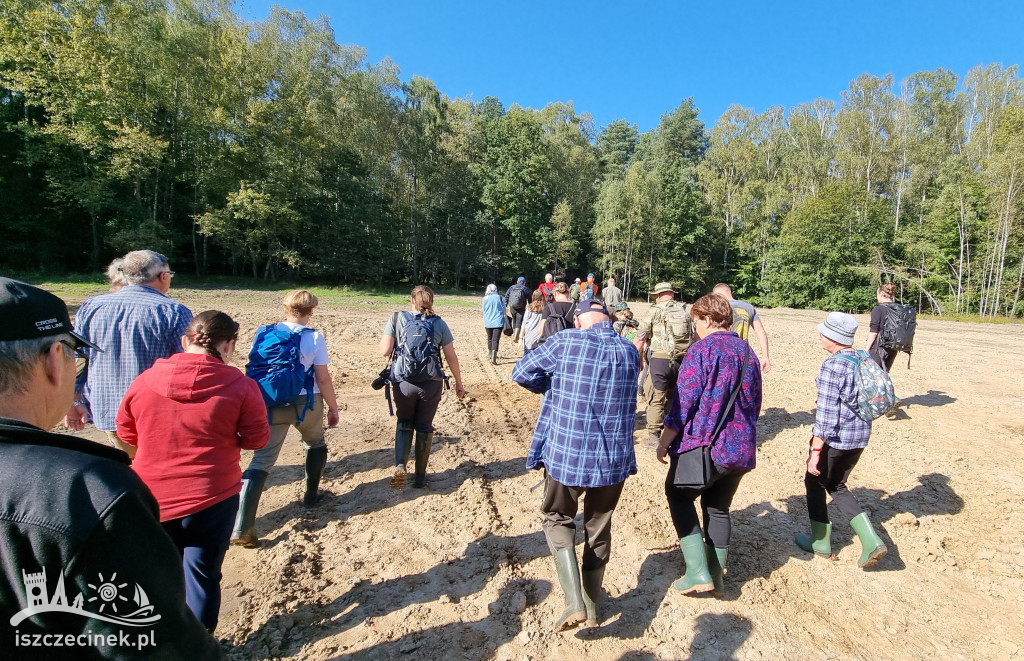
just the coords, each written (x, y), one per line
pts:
(709, 373)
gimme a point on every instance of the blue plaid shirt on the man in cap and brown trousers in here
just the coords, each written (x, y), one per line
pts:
(584, 435)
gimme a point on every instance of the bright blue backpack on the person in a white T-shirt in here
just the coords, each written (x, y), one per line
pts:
(276, 366)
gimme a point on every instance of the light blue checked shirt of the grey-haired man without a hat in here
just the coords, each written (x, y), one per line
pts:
(135, 328)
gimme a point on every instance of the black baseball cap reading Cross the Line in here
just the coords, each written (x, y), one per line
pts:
(30, 313)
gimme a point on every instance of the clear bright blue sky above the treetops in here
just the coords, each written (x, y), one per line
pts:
(639, 60)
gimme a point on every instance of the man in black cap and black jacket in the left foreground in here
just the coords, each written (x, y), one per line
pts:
(80, 535)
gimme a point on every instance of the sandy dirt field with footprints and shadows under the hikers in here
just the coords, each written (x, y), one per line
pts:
(461, 570)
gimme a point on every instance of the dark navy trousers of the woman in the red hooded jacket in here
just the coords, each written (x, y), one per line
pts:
(203, 540)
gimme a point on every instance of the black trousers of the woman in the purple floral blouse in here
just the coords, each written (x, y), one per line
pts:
(716, 499)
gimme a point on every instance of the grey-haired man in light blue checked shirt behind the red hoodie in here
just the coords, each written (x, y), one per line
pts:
(137, 327)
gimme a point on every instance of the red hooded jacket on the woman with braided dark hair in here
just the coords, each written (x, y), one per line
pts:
(191, 416)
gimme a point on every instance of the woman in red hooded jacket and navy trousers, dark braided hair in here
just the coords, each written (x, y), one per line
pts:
(191, 416)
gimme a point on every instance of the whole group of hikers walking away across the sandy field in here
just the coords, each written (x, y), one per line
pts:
(167, 497)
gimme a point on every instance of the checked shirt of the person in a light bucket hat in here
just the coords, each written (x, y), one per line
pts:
(836, 421)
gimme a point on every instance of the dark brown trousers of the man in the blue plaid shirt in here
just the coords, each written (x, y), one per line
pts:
(561, 507)
